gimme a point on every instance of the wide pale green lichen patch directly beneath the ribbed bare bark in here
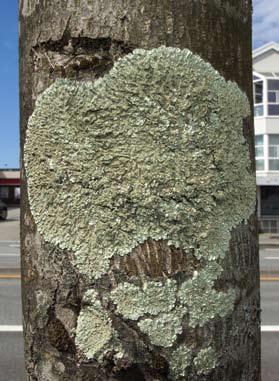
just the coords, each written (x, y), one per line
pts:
(152, 298)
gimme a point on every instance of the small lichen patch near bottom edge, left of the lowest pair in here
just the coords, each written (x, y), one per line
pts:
(180, 359)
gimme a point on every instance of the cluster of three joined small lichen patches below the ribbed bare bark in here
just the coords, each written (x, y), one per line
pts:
(196, 297)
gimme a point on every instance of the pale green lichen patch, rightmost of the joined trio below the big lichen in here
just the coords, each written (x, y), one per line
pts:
(203, 302)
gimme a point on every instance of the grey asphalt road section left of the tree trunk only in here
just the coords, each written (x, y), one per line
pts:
(11, 342)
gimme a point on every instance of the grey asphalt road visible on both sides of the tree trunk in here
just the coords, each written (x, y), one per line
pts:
(11, 342)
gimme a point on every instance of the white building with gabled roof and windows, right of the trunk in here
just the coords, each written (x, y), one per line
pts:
(266, 113)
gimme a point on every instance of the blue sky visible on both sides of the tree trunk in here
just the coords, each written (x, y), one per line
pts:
(265, 29)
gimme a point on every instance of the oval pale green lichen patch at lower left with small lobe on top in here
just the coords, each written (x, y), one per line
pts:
(94, 330)
